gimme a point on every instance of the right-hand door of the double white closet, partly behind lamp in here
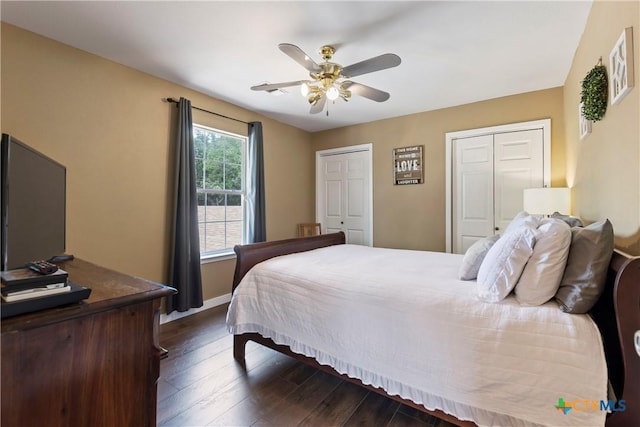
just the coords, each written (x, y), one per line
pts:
(518, 160)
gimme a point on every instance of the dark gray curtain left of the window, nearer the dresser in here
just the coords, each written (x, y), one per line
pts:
(185, 255)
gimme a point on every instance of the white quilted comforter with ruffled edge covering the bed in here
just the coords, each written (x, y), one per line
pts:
(400, 320)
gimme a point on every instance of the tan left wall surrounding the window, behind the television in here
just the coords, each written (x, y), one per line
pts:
(109, 126)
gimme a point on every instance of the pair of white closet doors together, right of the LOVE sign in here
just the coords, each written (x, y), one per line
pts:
(490, 174)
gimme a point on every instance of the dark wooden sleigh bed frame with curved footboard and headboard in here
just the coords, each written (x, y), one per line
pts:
(617, 314)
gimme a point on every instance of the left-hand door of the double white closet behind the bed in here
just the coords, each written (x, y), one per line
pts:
(473, 188)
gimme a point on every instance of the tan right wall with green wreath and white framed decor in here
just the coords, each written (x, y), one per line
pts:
(604, 167)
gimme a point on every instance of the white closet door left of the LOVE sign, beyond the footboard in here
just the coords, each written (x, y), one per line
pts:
(344, 195)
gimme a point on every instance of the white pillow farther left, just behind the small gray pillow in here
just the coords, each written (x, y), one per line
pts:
(504, 263)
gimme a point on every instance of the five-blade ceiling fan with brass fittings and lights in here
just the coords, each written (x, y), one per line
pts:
(330, 80)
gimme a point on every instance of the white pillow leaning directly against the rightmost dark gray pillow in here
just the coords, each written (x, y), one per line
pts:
(541, 276)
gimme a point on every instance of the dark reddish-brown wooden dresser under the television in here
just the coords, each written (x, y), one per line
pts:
(95, 363)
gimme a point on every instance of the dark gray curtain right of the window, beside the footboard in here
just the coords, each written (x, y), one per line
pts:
(256, 218)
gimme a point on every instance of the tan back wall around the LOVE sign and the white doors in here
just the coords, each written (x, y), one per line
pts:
(413, 216)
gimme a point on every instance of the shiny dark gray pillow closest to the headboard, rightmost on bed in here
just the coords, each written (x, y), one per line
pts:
(586, 271)
